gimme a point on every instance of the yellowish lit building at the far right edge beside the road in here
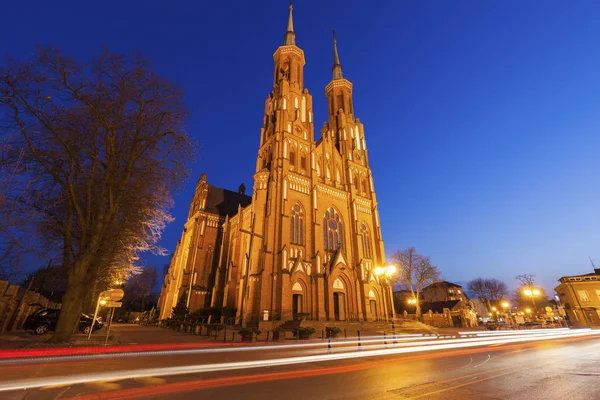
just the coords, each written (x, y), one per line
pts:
(580, 297)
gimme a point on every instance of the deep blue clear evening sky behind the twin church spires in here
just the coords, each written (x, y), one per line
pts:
(482, 117)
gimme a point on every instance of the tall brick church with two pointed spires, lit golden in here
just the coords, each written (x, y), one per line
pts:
(308, 242)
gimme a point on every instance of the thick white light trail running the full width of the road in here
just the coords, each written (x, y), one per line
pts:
(203, 368)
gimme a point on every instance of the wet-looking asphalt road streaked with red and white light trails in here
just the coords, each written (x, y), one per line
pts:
(503, 367)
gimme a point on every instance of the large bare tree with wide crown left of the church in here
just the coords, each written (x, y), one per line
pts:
(104, 146)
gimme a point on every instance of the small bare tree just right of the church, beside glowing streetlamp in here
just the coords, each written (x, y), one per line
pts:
(415, 272)
